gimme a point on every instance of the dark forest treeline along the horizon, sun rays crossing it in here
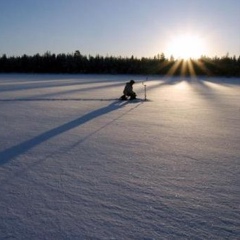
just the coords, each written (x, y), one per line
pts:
(78, 63)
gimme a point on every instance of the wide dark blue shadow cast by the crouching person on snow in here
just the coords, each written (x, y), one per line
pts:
(12, 152)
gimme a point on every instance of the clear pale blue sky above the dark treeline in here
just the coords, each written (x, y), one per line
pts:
(142, 28)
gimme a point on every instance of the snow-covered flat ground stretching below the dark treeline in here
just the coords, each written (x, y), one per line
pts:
(77, 164)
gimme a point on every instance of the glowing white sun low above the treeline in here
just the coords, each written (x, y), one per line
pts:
(186, 46)
